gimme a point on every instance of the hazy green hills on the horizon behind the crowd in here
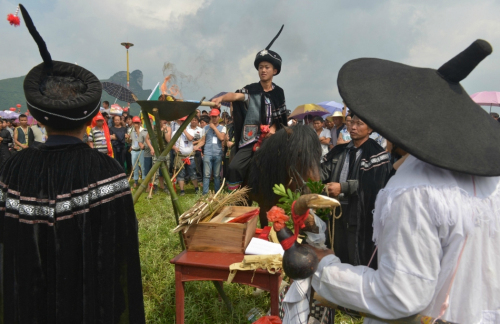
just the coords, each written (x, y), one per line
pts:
(11, 91)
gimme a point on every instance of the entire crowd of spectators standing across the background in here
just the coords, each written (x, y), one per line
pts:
(206, 143)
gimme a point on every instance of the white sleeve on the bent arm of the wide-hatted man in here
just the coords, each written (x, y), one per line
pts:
(408, 266)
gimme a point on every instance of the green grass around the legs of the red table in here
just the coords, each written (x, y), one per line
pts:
(158, 245)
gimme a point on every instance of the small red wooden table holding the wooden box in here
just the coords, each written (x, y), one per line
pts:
(214, 266)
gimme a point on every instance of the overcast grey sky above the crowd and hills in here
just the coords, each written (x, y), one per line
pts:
(213, 43)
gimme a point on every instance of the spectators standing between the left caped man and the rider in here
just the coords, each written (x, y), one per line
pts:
(205, 143)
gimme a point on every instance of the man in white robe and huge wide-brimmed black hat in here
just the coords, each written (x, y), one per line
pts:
(436, 222)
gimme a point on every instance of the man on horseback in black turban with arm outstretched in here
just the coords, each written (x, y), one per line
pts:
(259, 110)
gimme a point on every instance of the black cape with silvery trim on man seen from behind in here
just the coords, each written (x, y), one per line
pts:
(68, 232)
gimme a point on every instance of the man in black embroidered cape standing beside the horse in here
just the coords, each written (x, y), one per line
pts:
(354, 173)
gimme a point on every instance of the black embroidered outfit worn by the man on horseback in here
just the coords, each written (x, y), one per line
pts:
(278, 109)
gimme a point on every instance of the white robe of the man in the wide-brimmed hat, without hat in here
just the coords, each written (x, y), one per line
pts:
(421, 221)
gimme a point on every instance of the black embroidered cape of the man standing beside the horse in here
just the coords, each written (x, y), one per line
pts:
(371, 171)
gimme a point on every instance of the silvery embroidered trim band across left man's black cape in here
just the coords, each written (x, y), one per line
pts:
(32, 210)
